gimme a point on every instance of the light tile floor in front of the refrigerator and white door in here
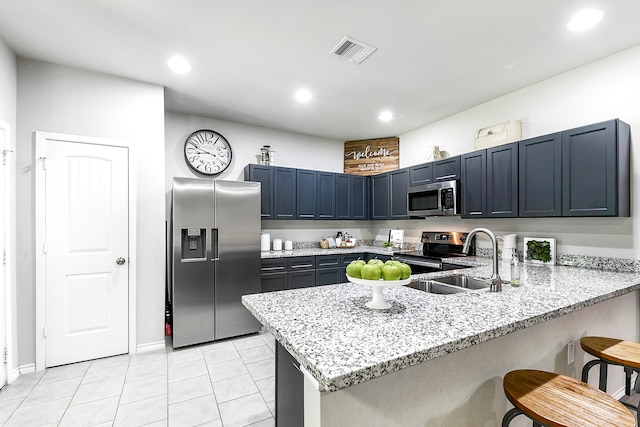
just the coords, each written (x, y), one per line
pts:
(229, 383)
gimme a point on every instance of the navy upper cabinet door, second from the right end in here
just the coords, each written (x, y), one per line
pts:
(540, 176)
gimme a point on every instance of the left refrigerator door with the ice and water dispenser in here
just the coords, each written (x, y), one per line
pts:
(193, 268)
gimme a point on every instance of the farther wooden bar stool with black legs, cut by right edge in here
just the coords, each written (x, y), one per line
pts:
(611, 351)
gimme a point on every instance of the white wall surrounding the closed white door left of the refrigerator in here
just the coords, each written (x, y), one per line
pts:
(65, 100)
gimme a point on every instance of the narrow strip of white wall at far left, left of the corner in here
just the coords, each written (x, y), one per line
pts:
(8, 88)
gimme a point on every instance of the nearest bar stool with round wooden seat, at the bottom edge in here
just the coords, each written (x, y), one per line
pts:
(559, 401)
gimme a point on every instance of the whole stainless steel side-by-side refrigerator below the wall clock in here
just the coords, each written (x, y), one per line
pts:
(215, 258)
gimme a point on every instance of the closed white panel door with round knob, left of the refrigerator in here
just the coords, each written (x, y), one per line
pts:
(86, 251)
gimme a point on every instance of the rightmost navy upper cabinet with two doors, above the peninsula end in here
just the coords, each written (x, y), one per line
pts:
(577, 172)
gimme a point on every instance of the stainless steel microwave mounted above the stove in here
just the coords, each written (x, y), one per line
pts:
(437, 199)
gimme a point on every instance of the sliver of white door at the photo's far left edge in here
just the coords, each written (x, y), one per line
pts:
(4, 240)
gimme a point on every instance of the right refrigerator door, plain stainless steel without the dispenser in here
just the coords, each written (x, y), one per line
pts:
(237, 221)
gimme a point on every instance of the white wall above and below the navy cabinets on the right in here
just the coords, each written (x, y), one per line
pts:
(606, 89)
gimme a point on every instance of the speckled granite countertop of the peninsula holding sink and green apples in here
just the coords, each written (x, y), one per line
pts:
(341, 342)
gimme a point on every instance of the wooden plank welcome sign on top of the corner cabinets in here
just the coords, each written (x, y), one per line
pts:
(371, 156)
